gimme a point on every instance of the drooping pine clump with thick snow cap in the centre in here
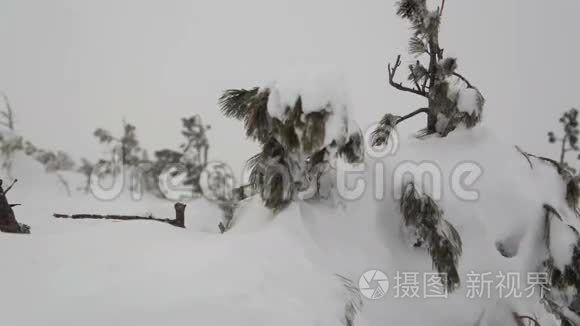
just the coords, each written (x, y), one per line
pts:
(300, 139)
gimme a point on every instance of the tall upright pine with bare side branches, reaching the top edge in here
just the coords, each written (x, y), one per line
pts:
(451, 99)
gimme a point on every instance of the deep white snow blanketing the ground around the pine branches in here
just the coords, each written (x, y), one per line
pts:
(272, 269)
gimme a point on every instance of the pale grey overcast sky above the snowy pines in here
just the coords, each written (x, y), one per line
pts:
(70, 66)
